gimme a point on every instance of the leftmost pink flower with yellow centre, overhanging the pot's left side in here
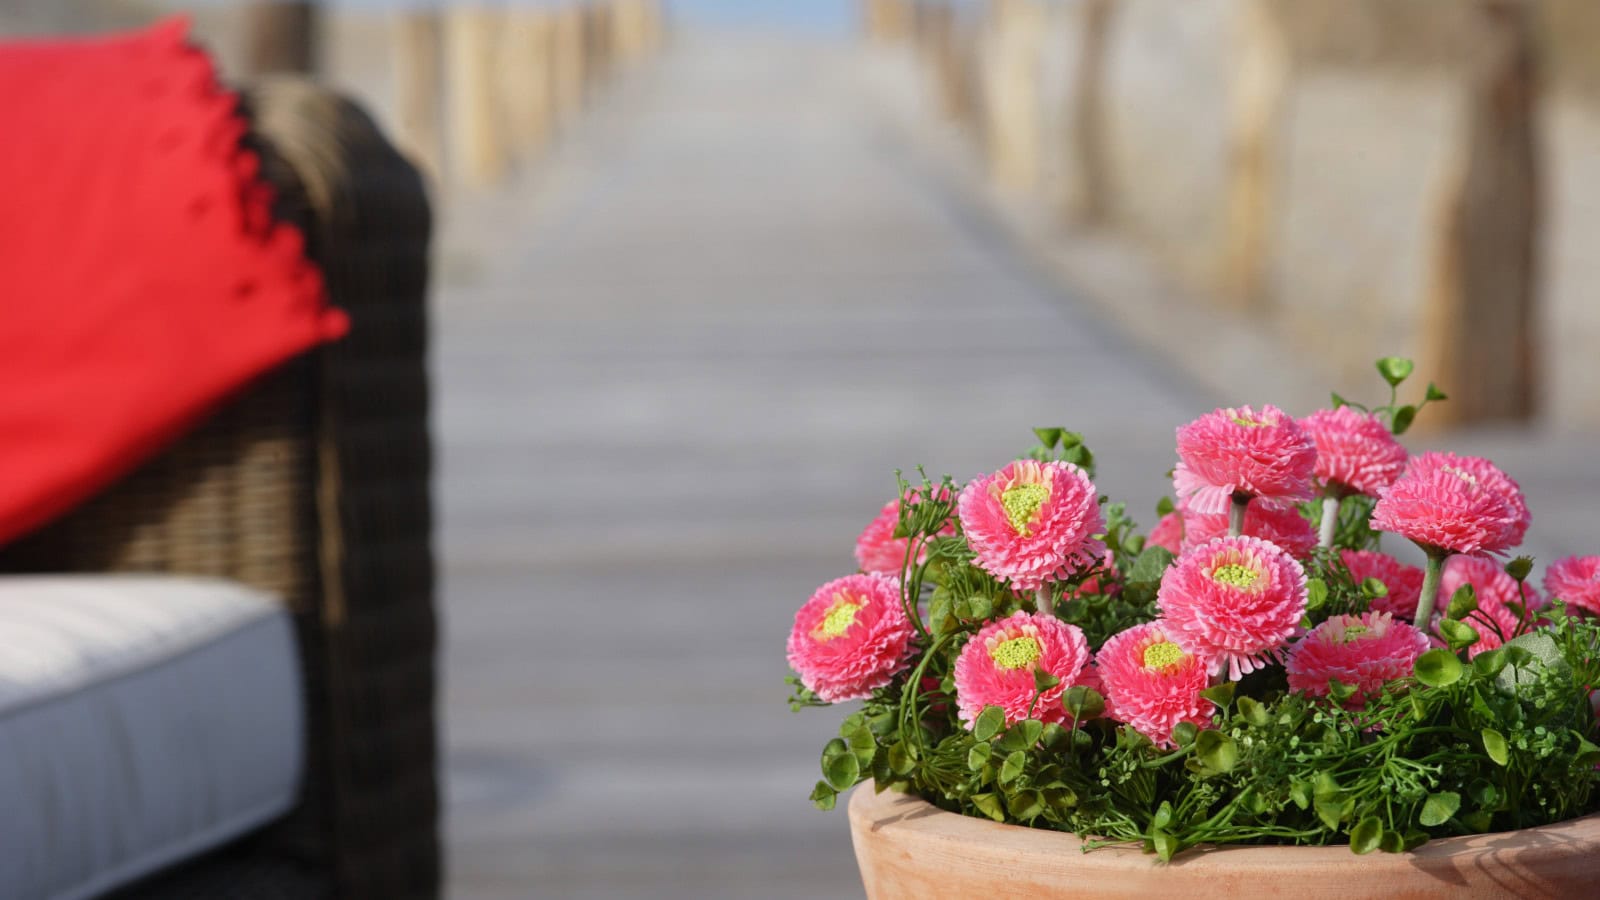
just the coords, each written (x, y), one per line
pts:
(850, 638)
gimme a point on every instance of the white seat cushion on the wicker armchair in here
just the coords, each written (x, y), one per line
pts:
(143, 720)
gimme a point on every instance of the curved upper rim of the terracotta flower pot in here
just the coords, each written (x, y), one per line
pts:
(918, 819)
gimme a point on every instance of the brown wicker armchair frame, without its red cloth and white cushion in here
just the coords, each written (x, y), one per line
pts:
(314, 484)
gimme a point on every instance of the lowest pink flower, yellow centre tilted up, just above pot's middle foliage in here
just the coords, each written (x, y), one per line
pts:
(1151, 683)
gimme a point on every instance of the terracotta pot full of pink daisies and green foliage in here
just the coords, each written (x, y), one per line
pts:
(1236, 702)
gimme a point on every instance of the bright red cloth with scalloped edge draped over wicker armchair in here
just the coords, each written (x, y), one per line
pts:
(143, 278)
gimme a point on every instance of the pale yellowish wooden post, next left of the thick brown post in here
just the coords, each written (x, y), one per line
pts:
(1258, 102)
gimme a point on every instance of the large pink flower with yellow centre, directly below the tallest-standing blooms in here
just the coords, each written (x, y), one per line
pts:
(1234, 601)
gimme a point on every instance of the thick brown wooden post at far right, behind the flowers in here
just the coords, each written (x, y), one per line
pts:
(1479, 321)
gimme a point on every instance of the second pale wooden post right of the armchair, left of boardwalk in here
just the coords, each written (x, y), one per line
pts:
(478, 151)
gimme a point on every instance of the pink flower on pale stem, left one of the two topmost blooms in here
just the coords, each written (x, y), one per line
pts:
(1242, 451)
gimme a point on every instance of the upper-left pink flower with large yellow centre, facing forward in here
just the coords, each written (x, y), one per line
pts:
(1033, 523)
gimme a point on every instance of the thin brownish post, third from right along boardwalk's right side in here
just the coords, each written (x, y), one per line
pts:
(1092, 201)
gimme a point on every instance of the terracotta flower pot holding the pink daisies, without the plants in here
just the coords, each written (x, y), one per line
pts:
(908, 848)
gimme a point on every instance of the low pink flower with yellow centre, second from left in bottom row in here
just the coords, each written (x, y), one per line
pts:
(996, 667)
